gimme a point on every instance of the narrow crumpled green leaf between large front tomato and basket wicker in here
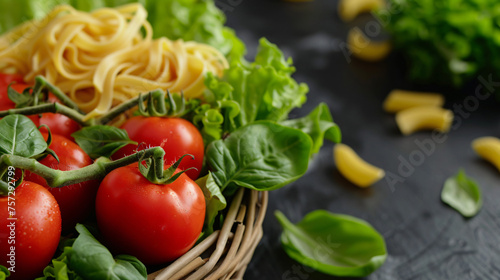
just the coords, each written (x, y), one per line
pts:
(214, 201)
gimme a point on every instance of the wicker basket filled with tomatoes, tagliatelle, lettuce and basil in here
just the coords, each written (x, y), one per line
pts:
(158, 100)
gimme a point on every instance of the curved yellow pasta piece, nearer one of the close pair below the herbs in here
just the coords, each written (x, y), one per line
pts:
(422, 118)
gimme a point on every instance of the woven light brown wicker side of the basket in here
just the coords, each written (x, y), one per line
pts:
(226, 253)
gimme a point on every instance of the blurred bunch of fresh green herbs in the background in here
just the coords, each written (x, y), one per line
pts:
(447, 42)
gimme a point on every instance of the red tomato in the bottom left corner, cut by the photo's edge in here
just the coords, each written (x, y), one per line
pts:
(34, 236)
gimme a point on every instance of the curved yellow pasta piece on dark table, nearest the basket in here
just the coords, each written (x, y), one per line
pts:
(355, 169)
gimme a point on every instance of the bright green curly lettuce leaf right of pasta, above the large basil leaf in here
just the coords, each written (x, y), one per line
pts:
(249, 92)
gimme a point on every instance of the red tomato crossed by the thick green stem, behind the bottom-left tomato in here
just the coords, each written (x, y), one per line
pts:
(76, 201)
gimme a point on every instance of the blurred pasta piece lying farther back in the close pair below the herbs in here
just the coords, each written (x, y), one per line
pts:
(399, 100)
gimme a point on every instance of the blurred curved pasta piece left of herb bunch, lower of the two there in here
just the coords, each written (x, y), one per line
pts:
(364, 48)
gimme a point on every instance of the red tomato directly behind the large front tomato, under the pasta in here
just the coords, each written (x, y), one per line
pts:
(176, 136)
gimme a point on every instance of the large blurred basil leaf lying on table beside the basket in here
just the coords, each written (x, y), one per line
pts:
(334, 244)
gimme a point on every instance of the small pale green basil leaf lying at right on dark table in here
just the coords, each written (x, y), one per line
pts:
(463, 194)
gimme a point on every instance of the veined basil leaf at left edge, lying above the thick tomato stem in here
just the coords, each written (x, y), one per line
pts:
(20, 137)
